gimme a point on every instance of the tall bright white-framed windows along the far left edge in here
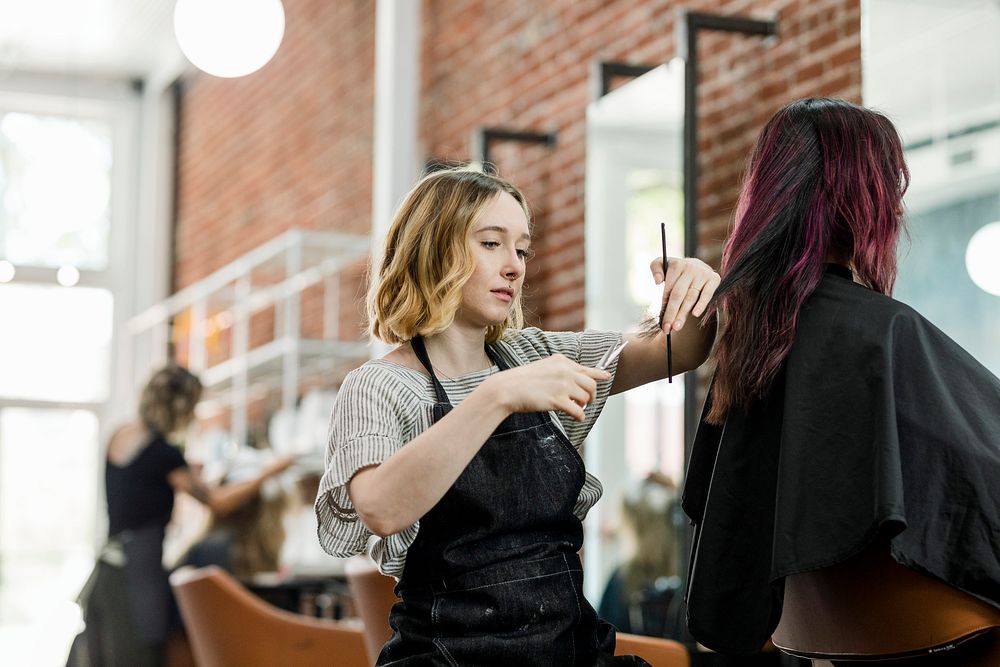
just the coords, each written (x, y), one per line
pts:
(56, 210)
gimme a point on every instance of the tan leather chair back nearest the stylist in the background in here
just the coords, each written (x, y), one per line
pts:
(229, 626)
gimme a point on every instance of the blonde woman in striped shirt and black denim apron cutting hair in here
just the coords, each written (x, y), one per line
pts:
(457, 453)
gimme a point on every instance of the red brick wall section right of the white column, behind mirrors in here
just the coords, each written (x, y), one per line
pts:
(526, 65)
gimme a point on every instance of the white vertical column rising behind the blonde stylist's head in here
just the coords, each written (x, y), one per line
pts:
(395, 163)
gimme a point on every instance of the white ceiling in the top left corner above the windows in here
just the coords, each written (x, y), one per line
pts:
(104, 38)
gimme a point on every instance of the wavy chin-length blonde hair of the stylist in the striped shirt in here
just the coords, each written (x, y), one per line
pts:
(428, 258)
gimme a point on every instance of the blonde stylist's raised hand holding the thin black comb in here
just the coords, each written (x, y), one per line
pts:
(687, 289)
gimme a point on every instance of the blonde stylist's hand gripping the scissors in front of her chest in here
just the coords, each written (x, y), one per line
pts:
(553, 383)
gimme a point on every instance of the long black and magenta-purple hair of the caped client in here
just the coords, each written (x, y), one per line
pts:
(825, 182)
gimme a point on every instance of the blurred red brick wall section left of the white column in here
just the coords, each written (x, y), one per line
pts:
(289, 146)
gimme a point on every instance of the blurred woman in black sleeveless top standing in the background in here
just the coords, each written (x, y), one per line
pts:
(128, 605)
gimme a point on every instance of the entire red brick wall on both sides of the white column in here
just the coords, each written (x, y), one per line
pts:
(291, 145)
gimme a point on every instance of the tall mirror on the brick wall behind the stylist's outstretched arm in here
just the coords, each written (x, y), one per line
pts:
(634, 181)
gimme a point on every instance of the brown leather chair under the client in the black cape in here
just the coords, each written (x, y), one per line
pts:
(872, 608)
